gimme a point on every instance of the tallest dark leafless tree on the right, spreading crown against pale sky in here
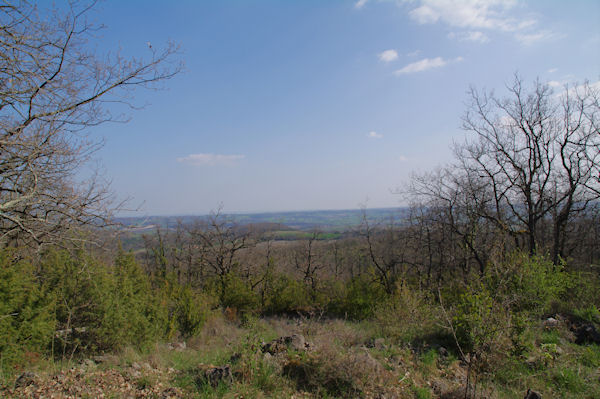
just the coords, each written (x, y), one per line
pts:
(537, 153)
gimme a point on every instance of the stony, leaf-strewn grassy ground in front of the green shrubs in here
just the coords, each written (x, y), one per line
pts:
(283, 358)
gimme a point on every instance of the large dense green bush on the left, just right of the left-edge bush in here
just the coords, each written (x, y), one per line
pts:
(99, 307)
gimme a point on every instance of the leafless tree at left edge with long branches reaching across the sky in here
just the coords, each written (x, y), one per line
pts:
(53, 87)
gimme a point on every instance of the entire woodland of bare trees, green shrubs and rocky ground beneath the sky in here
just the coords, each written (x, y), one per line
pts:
(486, 285)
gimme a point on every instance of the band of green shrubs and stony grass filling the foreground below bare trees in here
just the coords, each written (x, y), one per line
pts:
(90, 328)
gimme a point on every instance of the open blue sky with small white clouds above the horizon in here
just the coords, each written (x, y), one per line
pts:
(294, 105)
